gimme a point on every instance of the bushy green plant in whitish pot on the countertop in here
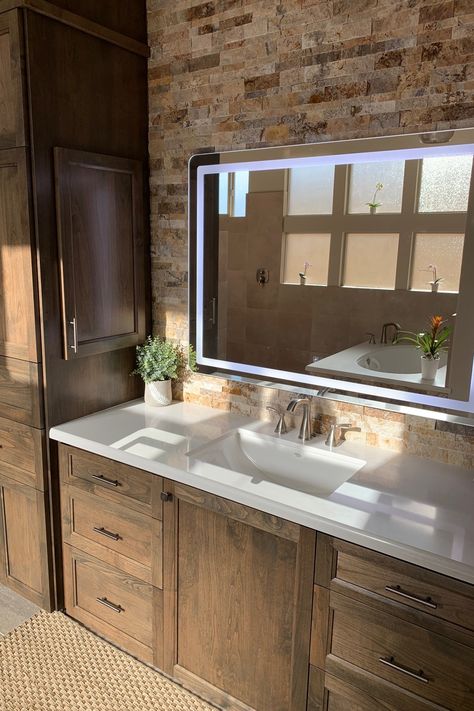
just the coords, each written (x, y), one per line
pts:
(158, 362)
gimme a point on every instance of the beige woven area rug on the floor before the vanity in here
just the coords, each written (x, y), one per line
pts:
(51, 663)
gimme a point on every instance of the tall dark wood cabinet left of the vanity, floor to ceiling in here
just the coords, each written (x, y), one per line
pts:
(73, 250)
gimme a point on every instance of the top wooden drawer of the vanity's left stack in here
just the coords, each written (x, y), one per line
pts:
(111, 480)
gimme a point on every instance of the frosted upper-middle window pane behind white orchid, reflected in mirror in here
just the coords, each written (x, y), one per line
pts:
(364, 179)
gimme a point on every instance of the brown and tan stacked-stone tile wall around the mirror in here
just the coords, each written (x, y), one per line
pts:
(232, 74)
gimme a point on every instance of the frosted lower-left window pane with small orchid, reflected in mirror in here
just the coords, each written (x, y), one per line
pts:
(312, 248)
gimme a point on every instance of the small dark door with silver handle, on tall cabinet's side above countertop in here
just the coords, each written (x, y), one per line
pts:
(100, 232)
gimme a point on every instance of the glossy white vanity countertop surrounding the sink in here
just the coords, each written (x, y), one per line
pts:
(414, 509)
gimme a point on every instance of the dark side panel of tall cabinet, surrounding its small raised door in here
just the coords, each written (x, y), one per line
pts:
(106, 86)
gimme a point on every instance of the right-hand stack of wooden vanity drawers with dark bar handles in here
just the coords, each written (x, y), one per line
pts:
(401, 635)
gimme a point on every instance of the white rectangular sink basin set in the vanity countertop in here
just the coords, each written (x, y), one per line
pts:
(265, 458)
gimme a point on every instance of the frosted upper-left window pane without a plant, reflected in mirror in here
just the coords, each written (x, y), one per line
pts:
(310, 190)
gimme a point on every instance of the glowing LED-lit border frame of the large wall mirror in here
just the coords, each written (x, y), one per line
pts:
(460, 381)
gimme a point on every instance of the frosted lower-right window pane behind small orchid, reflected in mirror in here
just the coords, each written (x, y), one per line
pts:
(442, 251)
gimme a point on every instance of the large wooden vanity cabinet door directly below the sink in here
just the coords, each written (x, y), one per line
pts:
(238, 587)
